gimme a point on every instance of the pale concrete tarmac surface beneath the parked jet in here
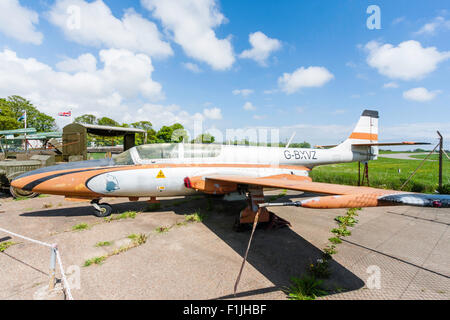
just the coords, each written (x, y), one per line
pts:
(393, 252)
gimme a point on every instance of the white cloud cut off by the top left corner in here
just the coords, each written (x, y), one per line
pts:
(19, 22)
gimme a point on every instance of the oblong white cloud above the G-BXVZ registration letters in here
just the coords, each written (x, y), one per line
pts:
(304, 78)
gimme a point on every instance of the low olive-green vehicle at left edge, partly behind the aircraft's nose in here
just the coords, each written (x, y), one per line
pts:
(11, 169)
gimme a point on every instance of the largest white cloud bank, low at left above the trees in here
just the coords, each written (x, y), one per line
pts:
(123, 76)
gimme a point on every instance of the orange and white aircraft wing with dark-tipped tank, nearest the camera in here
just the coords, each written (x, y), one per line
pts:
(336, 196)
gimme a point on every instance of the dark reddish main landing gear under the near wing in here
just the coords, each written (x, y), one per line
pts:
(266, 219)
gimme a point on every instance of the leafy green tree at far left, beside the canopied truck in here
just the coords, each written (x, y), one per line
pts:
(35, 119)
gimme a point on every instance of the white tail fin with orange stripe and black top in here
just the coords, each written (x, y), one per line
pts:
(366, 131)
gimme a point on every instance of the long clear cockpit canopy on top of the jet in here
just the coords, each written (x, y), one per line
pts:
(145, 153)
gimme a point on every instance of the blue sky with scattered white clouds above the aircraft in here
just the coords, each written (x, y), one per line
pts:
(313, 66)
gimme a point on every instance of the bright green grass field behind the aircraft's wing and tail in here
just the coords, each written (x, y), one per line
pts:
(384, 173)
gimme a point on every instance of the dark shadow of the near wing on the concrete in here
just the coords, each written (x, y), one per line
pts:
(278, 254)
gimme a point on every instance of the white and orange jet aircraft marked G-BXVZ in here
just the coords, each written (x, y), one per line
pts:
(167, 170)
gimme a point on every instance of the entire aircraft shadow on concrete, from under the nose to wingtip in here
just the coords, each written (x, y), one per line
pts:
(279, 254)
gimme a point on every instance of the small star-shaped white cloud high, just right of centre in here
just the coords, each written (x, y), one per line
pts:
(262, 47)
